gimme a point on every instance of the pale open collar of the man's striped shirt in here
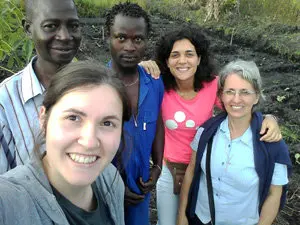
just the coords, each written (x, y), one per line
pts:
(31, 86)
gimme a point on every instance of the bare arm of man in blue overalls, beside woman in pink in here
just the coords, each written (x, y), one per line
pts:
(157, 157)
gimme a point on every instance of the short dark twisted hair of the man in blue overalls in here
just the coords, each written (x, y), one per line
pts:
(126, 9)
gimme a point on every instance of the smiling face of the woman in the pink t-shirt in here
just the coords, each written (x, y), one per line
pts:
(183, 61)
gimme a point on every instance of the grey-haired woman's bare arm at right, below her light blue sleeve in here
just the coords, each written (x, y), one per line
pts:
(271, 205)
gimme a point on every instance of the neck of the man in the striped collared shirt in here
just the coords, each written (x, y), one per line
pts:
(45, 71)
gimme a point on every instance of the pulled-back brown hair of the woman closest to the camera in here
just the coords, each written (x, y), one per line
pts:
(82, 74)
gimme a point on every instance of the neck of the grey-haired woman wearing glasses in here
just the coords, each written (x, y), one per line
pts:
(237, 127)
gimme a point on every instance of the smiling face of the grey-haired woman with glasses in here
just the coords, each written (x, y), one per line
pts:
(238, 97)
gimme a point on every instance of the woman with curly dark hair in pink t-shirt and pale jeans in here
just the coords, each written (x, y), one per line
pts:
(191, 94)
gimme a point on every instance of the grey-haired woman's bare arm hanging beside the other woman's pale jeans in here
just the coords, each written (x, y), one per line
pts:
(188, 178)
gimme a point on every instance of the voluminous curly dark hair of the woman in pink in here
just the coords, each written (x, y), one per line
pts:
(206, 68)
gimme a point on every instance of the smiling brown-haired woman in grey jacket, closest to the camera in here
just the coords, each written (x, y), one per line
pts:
(73, 180)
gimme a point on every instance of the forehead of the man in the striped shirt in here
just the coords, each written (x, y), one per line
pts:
(55, 9)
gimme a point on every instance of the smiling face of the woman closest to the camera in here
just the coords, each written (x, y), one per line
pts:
(82, 135)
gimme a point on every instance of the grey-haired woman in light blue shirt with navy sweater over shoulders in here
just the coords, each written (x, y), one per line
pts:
(248, 176)
